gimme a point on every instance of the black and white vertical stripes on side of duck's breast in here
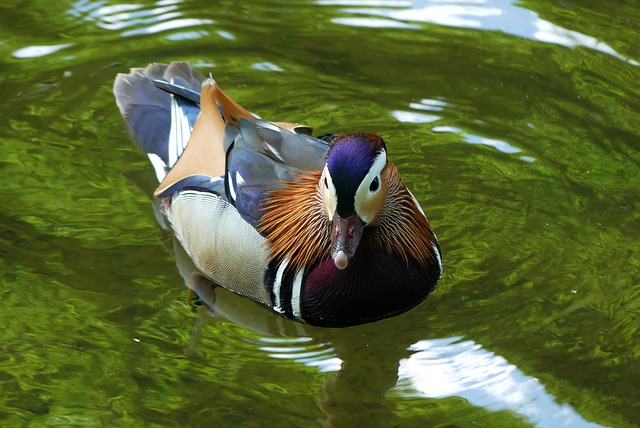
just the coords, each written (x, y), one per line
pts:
(285, 287)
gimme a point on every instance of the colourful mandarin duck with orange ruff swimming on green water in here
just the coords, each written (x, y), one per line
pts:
(321, 230)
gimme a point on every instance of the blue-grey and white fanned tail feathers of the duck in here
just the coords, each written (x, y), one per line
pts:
(160, 104)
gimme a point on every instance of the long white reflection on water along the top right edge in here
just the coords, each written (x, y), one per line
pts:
(494, 15)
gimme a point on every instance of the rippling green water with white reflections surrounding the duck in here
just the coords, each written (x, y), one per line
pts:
(514, 124)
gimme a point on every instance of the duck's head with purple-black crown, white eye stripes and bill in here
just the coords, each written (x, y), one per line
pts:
(353, 190)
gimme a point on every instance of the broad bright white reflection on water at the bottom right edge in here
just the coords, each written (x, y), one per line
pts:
(454, 368)
